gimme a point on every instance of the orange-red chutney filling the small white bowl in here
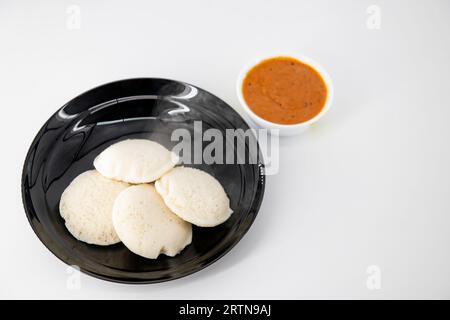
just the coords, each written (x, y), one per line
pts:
(284, 90)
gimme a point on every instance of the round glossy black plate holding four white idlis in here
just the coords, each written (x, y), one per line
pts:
(147, 108)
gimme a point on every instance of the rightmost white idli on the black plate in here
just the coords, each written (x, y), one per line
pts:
(195, 196)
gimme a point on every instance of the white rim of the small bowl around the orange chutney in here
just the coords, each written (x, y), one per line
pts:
(303, 59)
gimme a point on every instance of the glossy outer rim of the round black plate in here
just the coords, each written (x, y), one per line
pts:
(259, 195)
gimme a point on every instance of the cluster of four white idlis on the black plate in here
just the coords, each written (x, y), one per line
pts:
(99, 207)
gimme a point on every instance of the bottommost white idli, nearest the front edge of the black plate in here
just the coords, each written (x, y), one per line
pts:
(146, 226)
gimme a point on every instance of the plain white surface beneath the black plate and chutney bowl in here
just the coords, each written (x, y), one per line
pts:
(368, 185)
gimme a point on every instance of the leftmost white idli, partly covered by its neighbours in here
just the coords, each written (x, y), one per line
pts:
(86, 206)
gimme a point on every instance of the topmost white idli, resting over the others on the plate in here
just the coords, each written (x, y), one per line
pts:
(135, 161)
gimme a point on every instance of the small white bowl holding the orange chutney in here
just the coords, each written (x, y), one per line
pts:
(286, 129)
